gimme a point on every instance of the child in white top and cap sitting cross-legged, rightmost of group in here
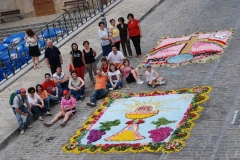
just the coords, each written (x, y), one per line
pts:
(153, 78)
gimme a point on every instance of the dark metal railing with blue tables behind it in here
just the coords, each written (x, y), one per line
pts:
(17, 57)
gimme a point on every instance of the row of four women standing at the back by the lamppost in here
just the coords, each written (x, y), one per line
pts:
(121, 34)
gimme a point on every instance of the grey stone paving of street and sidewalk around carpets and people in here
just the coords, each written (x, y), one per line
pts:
(213, 137)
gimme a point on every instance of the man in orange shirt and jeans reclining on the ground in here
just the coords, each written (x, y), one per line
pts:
(100, 90)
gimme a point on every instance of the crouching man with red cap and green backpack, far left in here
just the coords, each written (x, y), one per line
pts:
(20, 109)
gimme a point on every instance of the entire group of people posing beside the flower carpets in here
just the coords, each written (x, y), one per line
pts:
(59, 88)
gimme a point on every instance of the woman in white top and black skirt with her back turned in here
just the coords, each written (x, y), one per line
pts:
(31, 40)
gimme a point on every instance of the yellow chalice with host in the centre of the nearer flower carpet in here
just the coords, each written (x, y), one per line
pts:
(130, 133)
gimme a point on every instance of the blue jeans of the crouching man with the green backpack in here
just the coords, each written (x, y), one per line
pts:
(19, 118)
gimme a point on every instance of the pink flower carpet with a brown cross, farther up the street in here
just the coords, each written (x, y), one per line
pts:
(196, 48)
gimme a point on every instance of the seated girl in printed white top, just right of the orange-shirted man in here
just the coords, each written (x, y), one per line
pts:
(114, 77)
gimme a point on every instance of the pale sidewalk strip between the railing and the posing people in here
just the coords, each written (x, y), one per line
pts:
(8, 121)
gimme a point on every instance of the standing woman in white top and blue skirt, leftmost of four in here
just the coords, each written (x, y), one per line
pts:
(104, 39)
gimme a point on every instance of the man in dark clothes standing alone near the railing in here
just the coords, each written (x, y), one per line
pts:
(53, 56)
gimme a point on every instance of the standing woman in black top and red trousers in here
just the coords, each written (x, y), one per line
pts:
(77, 61)
